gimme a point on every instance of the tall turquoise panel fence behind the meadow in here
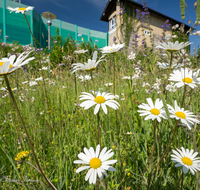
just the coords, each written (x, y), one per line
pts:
(15, 26)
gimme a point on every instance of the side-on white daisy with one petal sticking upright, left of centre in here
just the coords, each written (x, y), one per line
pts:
(89, 66)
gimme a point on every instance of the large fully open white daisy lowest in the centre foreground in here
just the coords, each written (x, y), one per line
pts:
(97, 162)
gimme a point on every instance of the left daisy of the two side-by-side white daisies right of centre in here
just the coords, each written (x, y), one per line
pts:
(153, 111)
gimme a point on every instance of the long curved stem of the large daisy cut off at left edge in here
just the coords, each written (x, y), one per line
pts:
(27, 135)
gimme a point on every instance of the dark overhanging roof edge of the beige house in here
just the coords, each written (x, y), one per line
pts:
(112, 4)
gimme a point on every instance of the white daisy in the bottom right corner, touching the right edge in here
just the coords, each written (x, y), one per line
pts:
(186, 159)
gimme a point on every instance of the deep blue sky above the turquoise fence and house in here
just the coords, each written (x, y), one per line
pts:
(87, 13)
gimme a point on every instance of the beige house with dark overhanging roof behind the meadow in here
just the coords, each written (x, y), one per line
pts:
(150, 29)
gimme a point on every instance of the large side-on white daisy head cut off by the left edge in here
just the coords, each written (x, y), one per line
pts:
(9, 65)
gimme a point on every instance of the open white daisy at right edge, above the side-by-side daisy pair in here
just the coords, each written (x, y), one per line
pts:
(185, 76)
